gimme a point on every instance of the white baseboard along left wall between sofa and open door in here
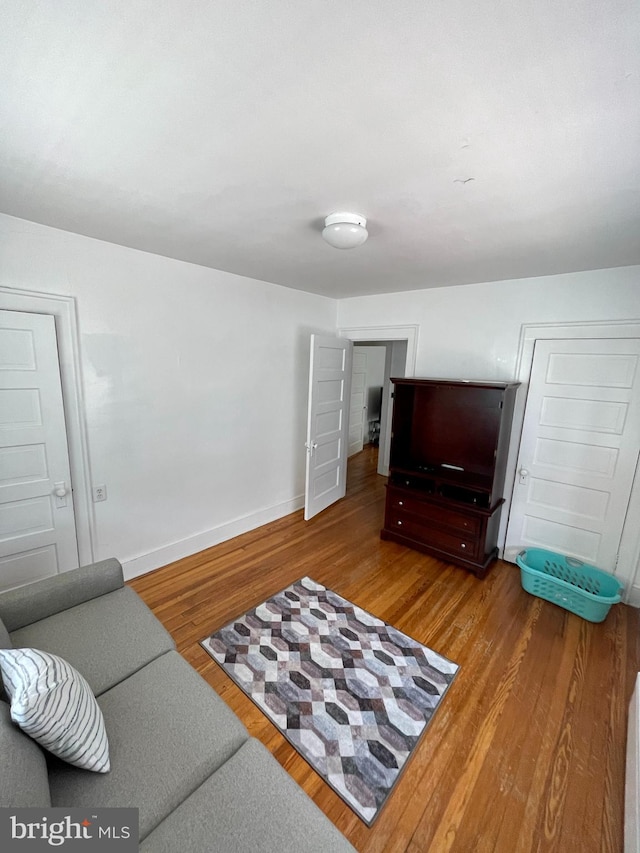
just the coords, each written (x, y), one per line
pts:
(144, 563)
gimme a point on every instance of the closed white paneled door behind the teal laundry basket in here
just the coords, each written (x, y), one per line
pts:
(578, 451)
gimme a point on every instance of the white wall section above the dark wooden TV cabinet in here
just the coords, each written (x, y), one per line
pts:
(472, 331)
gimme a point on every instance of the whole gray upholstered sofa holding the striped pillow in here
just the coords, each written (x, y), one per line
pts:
(178, 753)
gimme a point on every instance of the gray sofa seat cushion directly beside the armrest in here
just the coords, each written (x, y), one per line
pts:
(91, 638)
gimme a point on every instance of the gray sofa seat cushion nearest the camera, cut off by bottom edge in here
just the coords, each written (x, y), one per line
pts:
(250, 804)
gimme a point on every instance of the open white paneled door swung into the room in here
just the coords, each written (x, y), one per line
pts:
(327, 425)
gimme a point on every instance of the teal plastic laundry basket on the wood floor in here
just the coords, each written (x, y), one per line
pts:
(583, 589)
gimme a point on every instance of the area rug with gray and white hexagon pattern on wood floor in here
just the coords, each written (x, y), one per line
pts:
(351, 693)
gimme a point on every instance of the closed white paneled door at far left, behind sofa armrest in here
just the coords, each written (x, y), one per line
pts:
(37, 524)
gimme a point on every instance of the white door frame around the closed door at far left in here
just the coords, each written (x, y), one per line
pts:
(64, 311)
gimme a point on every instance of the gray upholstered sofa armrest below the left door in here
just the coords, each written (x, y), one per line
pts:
(36, 601)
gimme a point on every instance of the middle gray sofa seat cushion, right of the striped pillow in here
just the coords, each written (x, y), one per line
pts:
(168, 731)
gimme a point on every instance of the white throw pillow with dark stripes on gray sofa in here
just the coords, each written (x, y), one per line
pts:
(53, 703)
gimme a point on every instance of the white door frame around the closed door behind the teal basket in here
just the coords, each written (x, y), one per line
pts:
(629, 553)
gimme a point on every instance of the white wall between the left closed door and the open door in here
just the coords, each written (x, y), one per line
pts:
(195, 389)
